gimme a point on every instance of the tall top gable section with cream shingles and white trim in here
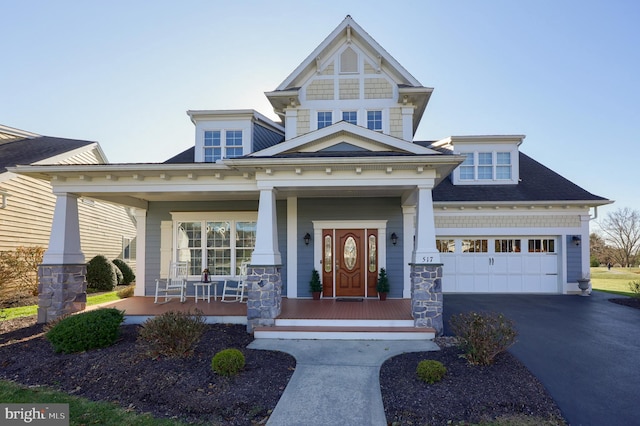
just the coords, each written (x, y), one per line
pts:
(348, 77)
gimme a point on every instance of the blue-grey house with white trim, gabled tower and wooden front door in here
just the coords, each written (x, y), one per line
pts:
(341, 186)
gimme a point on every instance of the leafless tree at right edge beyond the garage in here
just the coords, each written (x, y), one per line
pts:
(621, 231)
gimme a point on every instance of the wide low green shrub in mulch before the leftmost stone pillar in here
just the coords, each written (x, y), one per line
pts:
(85, 331)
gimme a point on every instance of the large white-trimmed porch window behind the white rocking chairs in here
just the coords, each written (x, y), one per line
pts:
(218, 245)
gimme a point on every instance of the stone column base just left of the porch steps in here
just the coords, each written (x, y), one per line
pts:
(264, 302)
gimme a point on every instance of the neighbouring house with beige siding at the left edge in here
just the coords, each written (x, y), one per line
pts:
(27, 204)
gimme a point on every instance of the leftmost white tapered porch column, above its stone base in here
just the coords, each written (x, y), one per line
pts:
(64, 241)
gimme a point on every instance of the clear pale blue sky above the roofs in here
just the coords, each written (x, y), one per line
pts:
(123, 73)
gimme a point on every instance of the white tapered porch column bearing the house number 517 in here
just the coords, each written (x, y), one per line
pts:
(425, 246)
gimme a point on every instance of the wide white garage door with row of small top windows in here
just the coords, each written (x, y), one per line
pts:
(499, 265)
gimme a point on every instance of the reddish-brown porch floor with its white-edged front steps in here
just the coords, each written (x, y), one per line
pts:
(364, 319)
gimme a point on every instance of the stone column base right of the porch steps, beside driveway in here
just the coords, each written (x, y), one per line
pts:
(426, 296)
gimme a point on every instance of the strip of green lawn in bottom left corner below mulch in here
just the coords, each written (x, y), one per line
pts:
(81, 410)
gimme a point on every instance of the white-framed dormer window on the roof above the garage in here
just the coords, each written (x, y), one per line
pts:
(486, 166)
